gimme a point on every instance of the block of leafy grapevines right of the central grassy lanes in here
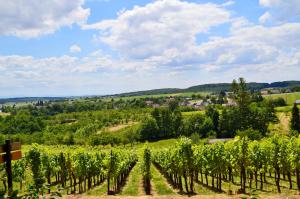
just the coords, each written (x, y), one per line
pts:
(250, 164)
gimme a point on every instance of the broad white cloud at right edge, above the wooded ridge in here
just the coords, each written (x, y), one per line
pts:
(271, 49)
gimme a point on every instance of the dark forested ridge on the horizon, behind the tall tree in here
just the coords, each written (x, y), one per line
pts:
(217, 87)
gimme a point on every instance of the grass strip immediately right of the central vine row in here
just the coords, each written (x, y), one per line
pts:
(159, 183)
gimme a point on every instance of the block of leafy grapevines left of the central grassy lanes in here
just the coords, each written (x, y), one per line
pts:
(75, 171)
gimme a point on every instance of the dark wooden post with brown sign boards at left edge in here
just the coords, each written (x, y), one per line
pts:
(8, 152)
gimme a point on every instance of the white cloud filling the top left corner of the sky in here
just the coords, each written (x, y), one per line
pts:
(33, 18)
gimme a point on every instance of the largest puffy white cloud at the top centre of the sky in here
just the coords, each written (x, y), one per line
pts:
(158, 27)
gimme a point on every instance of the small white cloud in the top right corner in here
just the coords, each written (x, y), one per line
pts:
(280, 10)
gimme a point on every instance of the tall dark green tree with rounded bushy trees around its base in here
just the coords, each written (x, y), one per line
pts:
(245, 115)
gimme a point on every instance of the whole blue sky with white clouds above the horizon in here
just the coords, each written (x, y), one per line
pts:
(89, 47)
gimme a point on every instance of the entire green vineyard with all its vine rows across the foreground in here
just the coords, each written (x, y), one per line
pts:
(239, 166)
